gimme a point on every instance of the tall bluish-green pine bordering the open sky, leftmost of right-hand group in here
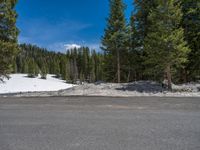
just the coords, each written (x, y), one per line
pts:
(114, 40)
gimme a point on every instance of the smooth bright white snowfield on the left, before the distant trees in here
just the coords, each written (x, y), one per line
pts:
(21, 83)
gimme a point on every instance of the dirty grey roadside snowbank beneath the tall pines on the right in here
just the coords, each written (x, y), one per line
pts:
(139, 88)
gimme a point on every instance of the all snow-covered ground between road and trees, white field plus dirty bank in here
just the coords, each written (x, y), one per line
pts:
(55, 87)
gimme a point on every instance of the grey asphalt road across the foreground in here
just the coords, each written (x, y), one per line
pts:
(99, 123)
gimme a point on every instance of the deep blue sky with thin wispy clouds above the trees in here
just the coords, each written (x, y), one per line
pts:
(60, 24)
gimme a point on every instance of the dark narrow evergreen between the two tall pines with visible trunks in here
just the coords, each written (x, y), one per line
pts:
(139, 25)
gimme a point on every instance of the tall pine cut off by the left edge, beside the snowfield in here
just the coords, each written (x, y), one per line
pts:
(8, 36)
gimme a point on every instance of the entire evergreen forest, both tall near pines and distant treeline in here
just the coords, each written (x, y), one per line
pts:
(160, 41)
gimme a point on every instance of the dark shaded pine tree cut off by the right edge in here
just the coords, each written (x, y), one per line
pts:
(191, 25)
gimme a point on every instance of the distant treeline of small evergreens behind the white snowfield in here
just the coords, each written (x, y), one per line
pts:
(77, 64)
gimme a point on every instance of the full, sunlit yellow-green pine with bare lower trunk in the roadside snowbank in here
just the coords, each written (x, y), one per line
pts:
(164, 44)
